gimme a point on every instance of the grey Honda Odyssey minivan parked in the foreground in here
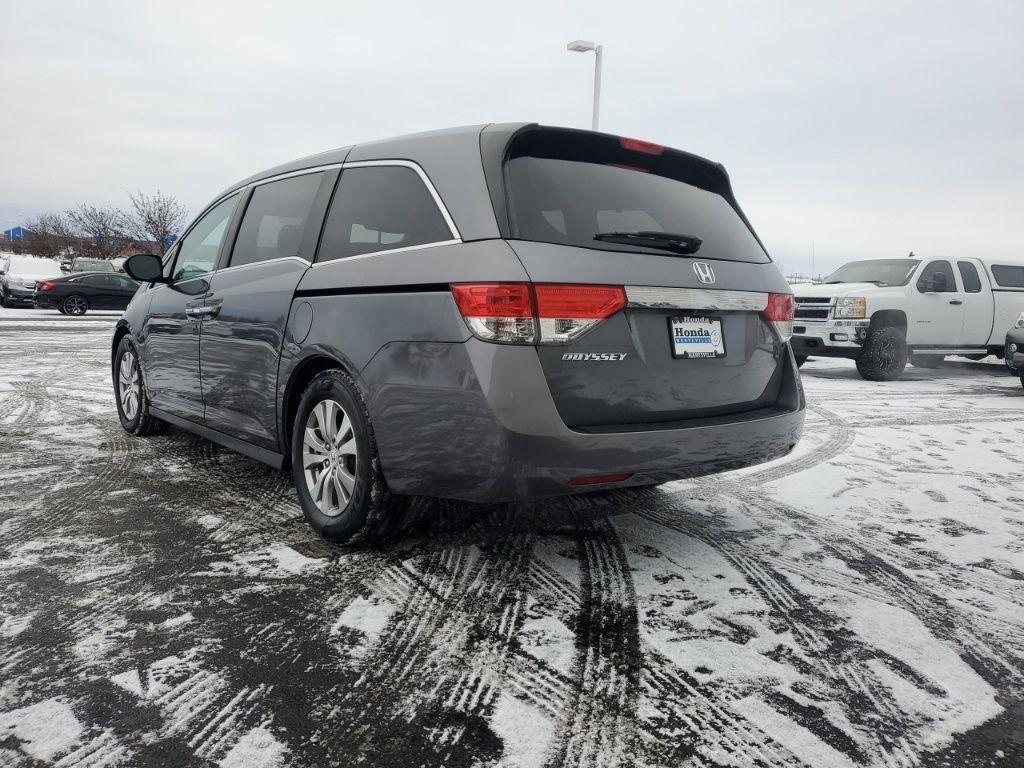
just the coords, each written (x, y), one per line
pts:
(483, 314)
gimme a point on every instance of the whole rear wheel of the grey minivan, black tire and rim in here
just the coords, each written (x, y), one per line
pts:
(332, 422)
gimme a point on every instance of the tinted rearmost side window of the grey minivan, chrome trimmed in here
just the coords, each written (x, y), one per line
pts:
(379, 209)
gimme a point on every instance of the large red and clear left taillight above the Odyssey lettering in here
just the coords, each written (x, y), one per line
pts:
(535, 314)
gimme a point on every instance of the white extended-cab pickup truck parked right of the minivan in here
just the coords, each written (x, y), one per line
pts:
(883, 313)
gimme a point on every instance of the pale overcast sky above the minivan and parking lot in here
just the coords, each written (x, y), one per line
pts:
(869, 130)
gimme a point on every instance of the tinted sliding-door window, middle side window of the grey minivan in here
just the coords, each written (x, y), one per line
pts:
(276, 220)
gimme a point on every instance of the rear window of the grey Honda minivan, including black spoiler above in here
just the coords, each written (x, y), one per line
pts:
(569, 188)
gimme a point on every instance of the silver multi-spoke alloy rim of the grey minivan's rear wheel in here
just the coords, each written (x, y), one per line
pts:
(329, 457)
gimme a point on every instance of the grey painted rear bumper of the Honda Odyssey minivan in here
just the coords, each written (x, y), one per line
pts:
(477, 421)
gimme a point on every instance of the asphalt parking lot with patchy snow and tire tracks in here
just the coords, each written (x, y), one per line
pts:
(860, 603)
